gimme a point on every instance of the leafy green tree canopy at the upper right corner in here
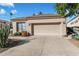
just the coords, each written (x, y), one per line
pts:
(67, 9)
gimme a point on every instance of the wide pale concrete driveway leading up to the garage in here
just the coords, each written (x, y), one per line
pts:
(44, 46)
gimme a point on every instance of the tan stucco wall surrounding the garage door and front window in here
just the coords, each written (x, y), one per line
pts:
(28, 28)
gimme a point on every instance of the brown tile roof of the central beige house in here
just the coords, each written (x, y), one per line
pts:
(43, 16)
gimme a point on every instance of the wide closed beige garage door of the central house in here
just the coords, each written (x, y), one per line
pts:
(47, 29)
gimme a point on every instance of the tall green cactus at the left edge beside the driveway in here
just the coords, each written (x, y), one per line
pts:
(4, 33)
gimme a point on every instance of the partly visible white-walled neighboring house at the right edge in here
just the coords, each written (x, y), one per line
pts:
(74, 24)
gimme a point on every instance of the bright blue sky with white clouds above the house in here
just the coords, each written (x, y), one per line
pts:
(25, 9)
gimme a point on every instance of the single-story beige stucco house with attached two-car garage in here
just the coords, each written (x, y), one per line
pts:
(46, 24)
